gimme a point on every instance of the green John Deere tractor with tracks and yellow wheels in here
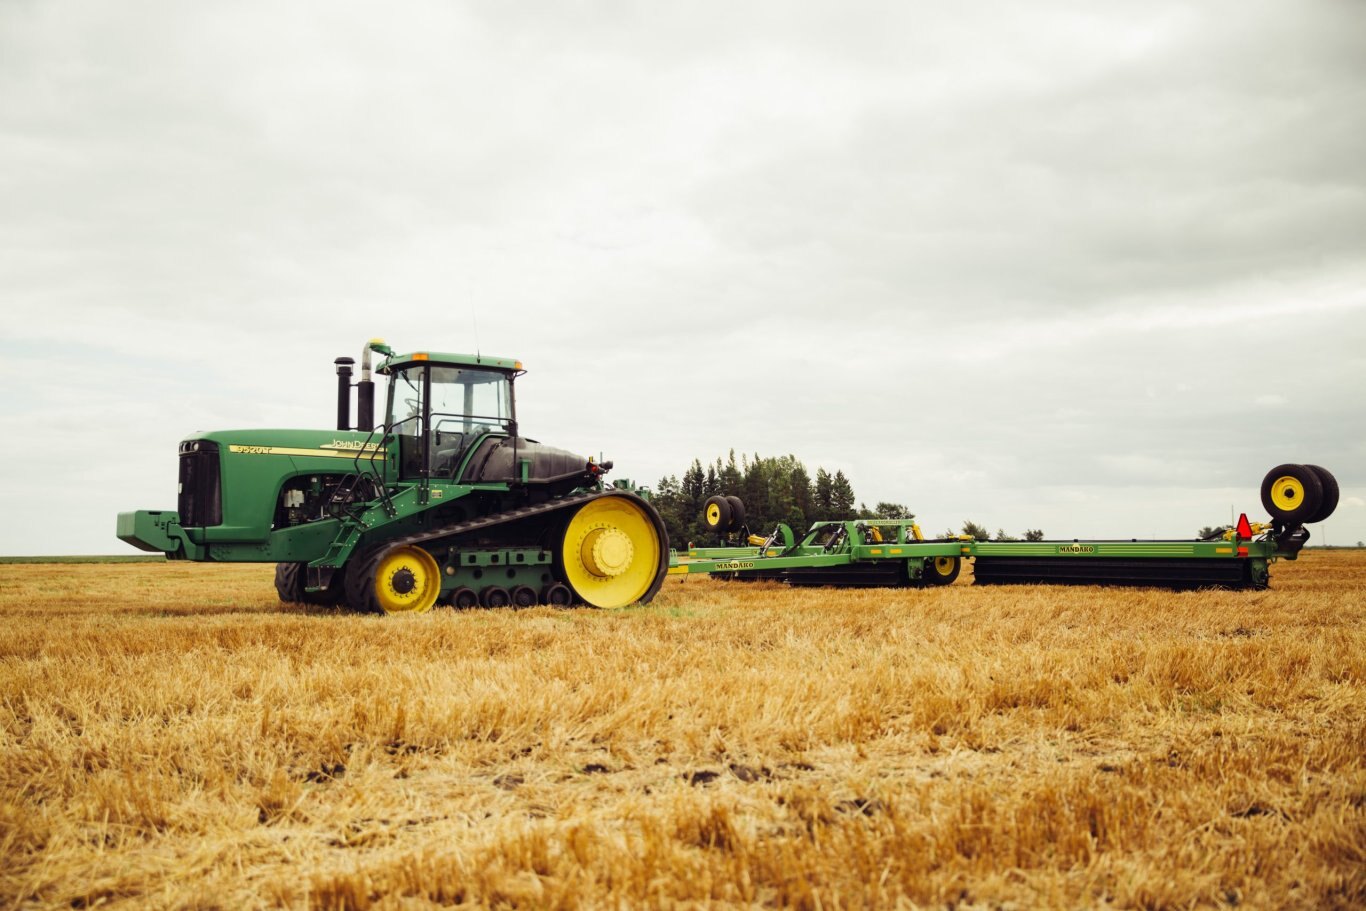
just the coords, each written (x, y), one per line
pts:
(442, 502)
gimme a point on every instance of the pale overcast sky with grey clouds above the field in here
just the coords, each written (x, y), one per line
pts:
(1088, 268)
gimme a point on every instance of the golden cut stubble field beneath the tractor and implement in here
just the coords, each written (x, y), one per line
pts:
(174, 737)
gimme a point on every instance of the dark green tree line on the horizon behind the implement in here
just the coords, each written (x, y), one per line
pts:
(778, 490)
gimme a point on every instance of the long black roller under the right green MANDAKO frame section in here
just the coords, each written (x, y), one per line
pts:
(1190, 573)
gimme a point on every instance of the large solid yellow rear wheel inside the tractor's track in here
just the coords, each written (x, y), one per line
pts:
(611, 552)
